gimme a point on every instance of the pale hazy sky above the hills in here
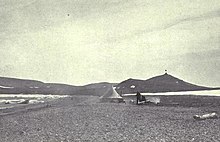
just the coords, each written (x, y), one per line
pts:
(85, 41)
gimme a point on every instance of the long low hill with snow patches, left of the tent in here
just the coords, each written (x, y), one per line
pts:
(23, 86)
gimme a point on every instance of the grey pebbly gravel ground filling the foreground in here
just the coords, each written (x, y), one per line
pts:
(84, 119)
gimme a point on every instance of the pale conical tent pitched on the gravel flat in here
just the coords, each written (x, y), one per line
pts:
(111, 96)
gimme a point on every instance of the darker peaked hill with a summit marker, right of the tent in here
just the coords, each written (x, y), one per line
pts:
(161, 83)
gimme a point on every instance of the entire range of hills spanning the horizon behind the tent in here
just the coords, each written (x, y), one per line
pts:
(161, 83)
